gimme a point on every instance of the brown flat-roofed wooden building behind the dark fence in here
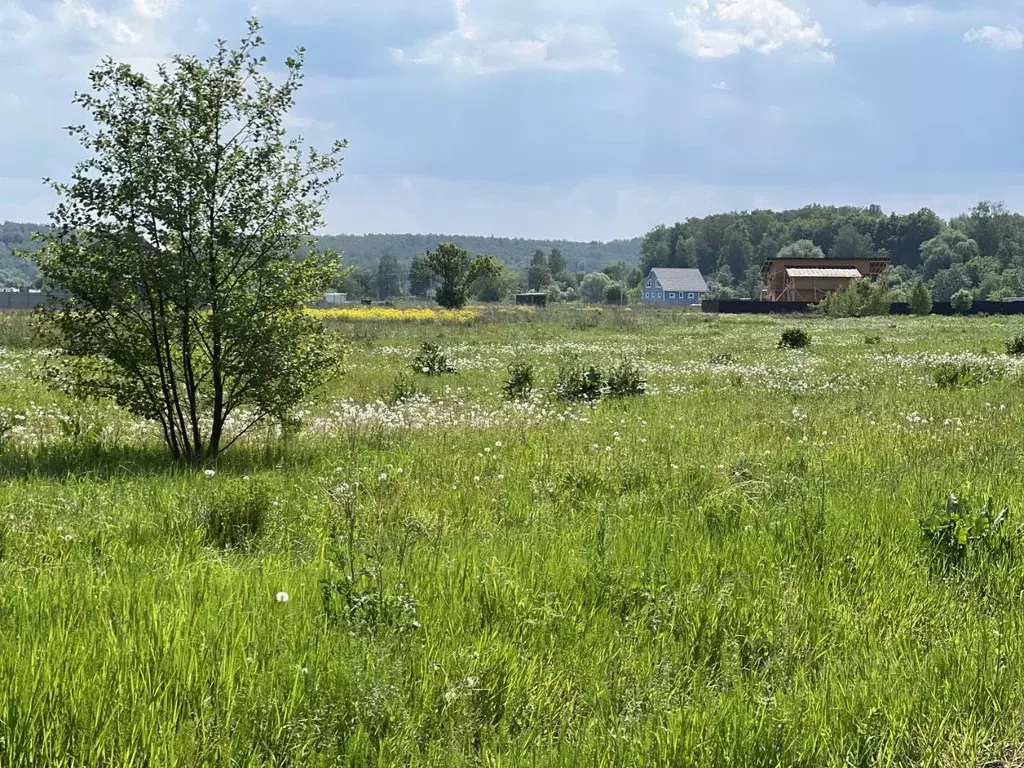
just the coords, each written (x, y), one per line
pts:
(813, 280)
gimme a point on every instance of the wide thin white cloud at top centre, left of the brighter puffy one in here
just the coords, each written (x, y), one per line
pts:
(490, 37)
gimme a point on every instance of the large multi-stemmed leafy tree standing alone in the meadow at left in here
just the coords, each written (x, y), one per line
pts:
(174, 247)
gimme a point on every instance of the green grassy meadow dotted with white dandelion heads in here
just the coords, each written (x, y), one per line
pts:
(729, 571)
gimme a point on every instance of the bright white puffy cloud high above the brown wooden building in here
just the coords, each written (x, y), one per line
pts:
(716, 29)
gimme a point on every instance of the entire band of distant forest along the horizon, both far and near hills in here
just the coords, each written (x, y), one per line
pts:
(982, 251)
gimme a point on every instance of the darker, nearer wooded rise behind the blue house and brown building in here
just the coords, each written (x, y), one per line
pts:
(982, 251)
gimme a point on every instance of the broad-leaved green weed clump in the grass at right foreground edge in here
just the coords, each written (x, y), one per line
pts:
(955, 532)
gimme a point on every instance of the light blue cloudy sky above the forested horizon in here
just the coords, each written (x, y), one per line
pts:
(576, 119)
